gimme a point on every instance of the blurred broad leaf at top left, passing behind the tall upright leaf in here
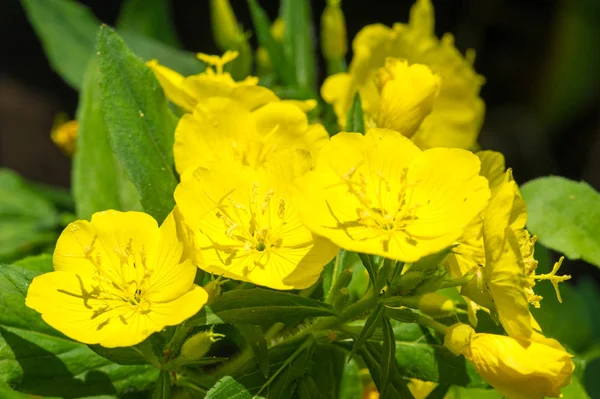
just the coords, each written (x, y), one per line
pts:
(68, 30)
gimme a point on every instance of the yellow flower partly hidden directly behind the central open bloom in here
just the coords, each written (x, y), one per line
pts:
(224, 130)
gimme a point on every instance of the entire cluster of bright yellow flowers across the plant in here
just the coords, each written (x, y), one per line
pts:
(267, 197)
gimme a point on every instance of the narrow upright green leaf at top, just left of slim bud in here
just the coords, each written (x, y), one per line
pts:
(298, 41)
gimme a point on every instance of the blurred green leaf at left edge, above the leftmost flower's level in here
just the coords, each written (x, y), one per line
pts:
(28, 220)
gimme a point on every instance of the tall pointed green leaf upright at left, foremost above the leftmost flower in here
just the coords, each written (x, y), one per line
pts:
(139, 122)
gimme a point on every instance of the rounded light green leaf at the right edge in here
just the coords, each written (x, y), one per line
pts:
(565, 215)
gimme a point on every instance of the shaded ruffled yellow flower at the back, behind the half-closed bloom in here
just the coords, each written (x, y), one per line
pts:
(457, 112)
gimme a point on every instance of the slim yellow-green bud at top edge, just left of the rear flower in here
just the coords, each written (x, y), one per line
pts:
(334, 43)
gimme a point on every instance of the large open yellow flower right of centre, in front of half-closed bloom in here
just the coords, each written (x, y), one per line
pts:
(380, 194)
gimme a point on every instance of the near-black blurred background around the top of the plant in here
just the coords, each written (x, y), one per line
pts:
(541, 60)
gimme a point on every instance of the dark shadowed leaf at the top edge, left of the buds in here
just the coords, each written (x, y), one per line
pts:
(150, 18)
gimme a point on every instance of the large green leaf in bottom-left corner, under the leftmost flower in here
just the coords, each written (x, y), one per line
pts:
(36, 359)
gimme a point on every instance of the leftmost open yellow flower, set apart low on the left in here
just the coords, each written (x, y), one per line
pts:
(117, 280)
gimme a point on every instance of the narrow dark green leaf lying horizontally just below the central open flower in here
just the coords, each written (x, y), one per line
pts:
(260, 307)
